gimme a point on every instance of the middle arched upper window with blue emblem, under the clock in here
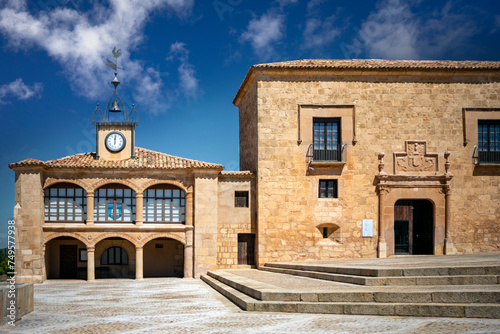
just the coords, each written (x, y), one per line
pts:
(114, 203)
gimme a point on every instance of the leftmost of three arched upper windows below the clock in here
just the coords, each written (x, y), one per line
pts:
(65, 202)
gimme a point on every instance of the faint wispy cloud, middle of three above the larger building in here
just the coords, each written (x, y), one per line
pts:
(318, 32)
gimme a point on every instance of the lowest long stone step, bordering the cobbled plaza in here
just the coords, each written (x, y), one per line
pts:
(456, 310)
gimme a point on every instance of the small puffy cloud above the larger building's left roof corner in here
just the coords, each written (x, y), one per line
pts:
(262, 33)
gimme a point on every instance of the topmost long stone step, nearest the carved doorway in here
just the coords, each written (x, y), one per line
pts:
(393, 272)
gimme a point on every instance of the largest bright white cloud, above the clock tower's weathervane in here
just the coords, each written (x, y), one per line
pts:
(81, 41)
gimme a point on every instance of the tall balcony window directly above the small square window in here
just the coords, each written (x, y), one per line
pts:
(326, 139)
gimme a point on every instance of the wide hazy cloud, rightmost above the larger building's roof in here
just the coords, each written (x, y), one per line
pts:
(394, 31)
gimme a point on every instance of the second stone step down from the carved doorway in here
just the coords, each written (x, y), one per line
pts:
(395, 281)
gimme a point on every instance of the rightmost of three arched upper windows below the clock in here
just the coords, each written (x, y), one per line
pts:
(164, 204)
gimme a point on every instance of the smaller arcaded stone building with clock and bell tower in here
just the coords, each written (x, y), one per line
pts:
(125, 211)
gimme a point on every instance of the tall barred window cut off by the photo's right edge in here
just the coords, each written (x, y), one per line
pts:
(489, 141)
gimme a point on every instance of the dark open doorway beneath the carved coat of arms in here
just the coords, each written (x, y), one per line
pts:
(413, 227)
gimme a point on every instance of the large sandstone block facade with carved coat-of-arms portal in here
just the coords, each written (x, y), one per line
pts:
(383, 107)
